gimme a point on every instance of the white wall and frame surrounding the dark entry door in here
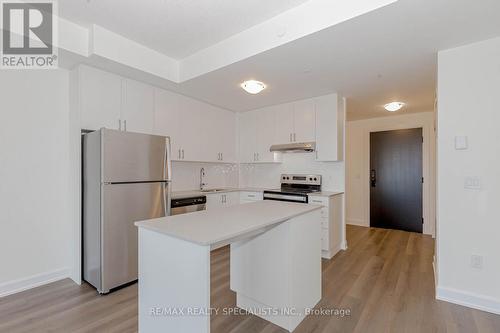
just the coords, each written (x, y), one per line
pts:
(358, 164)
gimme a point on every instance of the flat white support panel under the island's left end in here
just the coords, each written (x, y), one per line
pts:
(174, 278)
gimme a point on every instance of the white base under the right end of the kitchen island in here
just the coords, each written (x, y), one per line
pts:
(280, 269)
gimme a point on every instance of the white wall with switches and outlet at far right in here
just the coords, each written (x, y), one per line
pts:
(469, 220)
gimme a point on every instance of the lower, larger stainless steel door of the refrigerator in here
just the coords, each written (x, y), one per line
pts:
(124, 204)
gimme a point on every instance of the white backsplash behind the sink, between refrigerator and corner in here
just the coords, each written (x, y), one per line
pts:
(186, 175)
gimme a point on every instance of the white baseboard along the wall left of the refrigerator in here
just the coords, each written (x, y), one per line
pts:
(16, 286)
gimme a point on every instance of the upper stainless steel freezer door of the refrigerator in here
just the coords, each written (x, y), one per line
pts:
(134, 157)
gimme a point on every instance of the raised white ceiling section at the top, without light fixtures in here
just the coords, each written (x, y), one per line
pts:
(177, 28)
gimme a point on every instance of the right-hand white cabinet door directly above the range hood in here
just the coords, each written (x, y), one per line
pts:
(304, 120)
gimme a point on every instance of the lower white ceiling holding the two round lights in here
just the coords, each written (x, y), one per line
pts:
(386, 55)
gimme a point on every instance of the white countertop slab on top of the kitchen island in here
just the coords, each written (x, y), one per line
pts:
(215, 226)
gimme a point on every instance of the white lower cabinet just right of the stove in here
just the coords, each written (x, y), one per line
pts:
(331, 223)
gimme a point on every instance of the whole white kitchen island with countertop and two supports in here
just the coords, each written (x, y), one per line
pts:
(275, 264)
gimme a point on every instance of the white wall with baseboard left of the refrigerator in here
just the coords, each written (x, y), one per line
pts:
(34, 173)
